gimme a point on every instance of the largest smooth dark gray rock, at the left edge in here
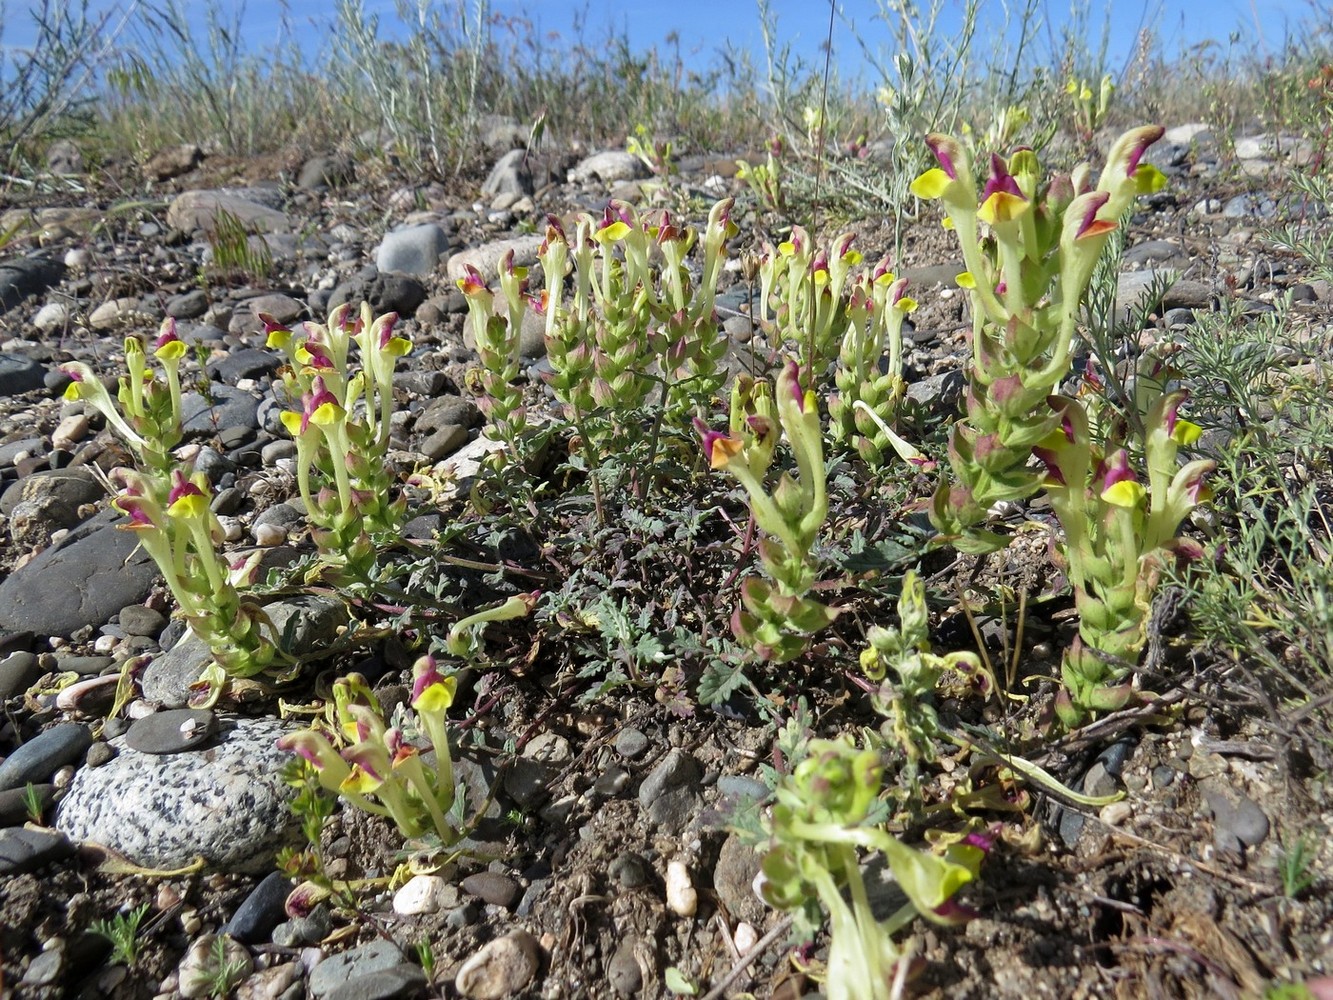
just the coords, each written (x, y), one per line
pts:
(79, 582)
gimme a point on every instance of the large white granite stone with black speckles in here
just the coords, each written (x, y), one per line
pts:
(226, 803)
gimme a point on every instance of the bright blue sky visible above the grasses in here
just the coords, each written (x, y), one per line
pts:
(706, 26)
